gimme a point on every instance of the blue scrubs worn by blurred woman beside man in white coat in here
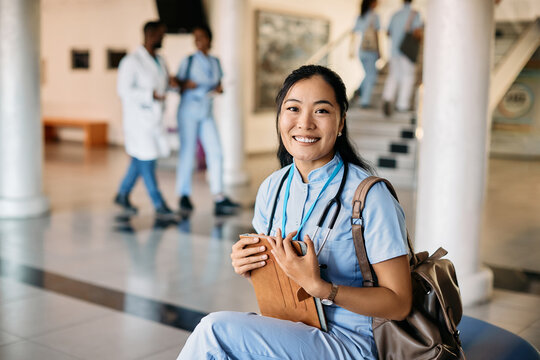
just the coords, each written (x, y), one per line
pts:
(196, 120)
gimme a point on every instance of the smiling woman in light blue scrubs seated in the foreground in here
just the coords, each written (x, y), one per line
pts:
(313, 147)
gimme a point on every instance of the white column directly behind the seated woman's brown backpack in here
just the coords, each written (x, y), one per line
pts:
(453, 150)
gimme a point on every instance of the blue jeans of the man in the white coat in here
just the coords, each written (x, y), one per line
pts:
(146, 169)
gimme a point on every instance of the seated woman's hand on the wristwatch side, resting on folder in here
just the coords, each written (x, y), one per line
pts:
(304, 270)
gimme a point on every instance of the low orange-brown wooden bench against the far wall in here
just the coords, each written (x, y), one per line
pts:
(95, 131)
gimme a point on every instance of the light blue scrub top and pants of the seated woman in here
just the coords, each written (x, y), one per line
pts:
(233, 335)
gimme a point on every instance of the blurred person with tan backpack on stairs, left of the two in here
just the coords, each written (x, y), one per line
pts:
(367, 23)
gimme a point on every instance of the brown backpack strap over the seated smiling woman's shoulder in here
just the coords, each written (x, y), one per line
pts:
(357, 224)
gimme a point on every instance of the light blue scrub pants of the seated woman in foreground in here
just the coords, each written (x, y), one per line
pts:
(228, 335)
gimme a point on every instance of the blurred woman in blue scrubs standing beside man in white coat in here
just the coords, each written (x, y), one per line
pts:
(200, 76)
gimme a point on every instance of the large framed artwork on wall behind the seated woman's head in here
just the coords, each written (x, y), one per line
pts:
(284, 42)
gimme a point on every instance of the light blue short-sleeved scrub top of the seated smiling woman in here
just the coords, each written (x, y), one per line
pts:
(385, 233)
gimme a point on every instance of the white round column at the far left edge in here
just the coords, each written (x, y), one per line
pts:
(21, 142)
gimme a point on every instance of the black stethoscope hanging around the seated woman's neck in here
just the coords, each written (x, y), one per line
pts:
(334, 201)
